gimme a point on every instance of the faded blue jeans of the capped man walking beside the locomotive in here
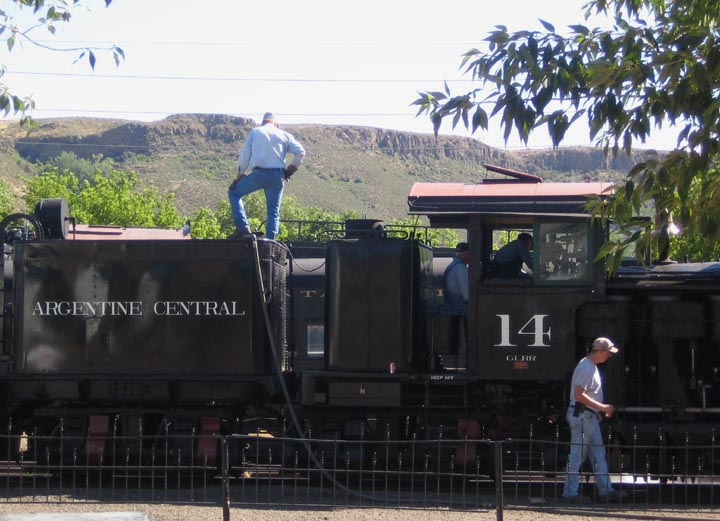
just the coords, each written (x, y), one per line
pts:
(586, 439)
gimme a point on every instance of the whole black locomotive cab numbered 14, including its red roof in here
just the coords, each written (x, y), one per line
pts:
(521, 324)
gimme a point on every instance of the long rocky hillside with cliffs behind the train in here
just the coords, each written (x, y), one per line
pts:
(368, 169)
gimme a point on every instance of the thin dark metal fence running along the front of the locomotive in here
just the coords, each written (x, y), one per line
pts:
(259, 470)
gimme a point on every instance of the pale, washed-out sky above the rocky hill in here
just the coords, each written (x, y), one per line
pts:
(314, 61)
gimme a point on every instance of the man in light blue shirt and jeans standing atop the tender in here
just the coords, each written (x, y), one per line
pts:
(264, 154)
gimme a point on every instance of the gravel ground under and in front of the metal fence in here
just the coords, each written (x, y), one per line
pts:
(271, 503)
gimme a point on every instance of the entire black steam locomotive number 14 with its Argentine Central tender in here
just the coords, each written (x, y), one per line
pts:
(195, 334)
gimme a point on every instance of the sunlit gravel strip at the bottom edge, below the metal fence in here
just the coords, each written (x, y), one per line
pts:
(162, 512)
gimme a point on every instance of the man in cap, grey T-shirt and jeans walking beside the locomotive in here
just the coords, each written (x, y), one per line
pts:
(583, 416)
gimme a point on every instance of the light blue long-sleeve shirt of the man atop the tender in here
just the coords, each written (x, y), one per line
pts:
(266, 147)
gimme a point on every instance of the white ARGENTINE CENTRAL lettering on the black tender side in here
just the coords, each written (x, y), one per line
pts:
(64, 308)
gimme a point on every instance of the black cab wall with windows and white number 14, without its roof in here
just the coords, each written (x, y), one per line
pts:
(520, 325)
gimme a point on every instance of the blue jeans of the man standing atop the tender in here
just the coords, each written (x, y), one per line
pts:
(271, 180)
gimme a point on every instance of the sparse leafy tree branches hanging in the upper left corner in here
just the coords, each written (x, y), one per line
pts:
(47, 14)
